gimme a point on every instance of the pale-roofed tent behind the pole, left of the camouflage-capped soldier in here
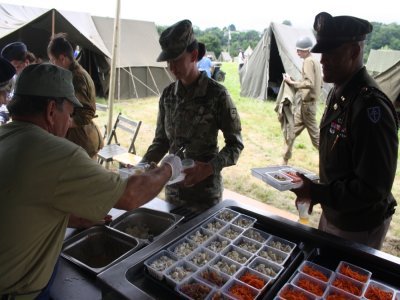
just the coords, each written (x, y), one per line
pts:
(138, 73)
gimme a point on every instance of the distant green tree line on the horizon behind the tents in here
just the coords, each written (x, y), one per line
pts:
(228, 39)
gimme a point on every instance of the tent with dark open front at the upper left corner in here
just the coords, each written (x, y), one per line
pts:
(34, 26)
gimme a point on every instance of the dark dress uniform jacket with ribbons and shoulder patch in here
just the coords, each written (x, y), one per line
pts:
(358, 156)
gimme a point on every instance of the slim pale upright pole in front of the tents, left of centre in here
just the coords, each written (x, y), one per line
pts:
(111, 90)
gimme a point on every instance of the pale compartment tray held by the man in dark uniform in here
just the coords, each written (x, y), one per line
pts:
(282, 177)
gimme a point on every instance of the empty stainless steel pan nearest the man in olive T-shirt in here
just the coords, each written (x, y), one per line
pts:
(99, 247)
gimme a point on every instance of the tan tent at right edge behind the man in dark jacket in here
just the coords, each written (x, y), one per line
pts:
(384, 67)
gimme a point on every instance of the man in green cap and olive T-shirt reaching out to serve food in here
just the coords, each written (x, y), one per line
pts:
(45, 178)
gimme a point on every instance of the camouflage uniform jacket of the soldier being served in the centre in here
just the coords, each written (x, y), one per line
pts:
(192, 117)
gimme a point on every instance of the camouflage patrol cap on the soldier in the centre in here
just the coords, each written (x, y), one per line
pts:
(175, 39)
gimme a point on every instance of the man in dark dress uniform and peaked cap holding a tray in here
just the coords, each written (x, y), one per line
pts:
(358, 139)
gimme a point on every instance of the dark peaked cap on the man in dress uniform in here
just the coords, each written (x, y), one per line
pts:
(332, 32)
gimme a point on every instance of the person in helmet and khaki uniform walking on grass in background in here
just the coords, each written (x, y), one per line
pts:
(308, 89)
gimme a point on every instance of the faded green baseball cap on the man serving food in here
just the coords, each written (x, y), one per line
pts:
(46, 80)
